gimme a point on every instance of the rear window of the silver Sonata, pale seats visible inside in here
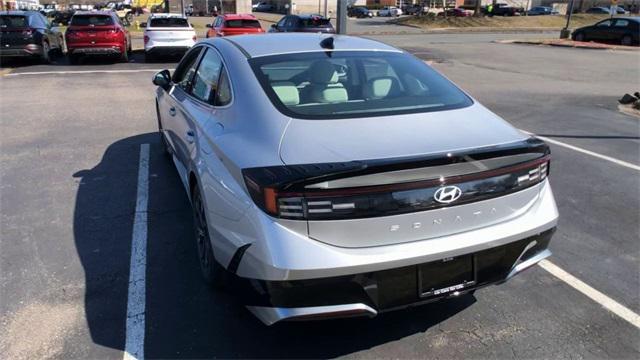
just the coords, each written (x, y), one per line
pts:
(336, 85)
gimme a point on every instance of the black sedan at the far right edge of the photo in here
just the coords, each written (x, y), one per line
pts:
(622, 30)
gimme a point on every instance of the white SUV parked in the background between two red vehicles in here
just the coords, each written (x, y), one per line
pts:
(167, 34)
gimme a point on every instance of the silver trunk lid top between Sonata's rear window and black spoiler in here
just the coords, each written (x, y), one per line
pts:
(324, 141)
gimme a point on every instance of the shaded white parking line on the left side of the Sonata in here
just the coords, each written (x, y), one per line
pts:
(134, 344)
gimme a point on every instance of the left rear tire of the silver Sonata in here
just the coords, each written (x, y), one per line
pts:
(212, 273)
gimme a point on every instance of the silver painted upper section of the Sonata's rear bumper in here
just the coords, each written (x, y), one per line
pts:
(281, 250)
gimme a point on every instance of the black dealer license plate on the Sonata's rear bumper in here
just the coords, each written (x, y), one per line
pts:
(446, 276)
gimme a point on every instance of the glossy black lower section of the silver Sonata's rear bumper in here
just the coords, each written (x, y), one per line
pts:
(368, 294)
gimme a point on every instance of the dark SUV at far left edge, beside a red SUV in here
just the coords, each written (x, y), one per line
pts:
(28, 34)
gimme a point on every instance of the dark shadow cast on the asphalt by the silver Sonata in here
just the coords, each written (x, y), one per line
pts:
(184, 317)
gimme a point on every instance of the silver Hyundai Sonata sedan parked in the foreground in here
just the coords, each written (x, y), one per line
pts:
(277, 141)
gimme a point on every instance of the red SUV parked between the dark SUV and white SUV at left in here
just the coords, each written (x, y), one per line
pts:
(97, 33)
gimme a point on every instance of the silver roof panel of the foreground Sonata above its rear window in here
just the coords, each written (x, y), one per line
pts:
(288, 43)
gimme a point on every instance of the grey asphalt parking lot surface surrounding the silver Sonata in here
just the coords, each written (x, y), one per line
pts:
(70, 181)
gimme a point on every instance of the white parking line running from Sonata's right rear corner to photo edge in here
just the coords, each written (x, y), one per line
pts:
(595, 295)
